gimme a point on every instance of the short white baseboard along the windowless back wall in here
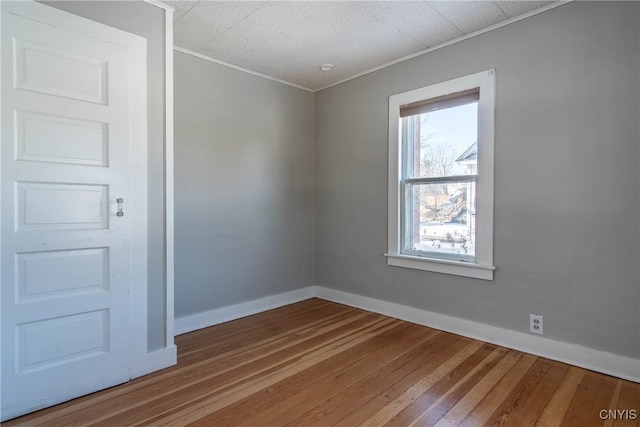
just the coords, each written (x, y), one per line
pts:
(232, 312)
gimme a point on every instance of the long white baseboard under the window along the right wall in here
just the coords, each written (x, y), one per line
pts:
(573, 354)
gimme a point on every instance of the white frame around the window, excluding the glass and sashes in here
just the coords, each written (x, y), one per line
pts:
(482, 267)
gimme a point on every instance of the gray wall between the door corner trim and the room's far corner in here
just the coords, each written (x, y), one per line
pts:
(244, 186)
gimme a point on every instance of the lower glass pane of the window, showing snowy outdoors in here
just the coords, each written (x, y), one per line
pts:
(440, 219)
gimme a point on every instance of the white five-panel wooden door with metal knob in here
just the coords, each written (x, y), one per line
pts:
(66, 262)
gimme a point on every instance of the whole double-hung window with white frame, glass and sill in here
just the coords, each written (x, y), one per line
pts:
(441, 177)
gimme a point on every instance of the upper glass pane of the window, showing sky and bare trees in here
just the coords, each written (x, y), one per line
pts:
(442, 142)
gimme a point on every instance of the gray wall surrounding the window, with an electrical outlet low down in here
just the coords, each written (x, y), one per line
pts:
(566, 182)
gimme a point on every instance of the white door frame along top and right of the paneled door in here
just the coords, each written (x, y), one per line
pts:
(137, 47)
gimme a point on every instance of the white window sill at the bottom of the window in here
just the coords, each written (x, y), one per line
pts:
(457, 268)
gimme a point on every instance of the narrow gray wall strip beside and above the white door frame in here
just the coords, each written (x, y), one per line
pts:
(146, 20)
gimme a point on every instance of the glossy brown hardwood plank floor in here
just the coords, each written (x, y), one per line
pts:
(324, 364)
